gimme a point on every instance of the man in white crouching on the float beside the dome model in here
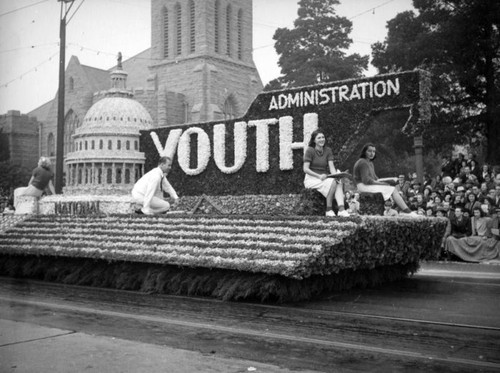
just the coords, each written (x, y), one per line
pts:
(148, 190)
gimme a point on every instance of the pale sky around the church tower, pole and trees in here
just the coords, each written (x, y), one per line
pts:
(99, 29)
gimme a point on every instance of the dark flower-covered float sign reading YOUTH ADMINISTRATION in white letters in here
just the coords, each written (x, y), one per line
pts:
(261, 153)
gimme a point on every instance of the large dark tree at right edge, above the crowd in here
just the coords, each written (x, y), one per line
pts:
(458, 42)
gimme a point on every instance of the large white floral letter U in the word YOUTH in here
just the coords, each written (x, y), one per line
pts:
(240, 147)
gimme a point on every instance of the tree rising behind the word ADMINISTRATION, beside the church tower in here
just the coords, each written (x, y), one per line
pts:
(314, 51)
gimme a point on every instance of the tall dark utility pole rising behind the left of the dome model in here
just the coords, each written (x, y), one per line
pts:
(60, 104)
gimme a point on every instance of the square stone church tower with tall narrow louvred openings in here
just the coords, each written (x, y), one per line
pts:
(201, 60)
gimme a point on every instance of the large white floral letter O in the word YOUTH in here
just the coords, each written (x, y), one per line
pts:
(183, 151)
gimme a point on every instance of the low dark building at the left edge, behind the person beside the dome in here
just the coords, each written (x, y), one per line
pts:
(22, 135)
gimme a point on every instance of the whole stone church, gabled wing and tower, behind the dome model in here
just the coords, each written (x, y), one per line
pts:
(199, 68)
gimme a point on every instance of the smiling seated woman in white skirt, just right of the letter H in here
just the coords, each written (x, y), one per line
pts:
(318, 163)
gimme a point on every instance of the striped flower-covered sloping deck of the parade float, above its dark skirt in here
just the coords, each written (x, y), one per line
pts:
(293, 247)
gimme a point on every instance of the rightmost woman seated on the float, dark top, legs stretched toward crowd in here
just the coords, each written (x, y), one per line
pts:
(367, 181)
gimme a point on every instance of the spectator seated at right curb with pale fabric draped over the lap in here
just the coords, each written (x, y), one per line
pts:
(482, 245)
